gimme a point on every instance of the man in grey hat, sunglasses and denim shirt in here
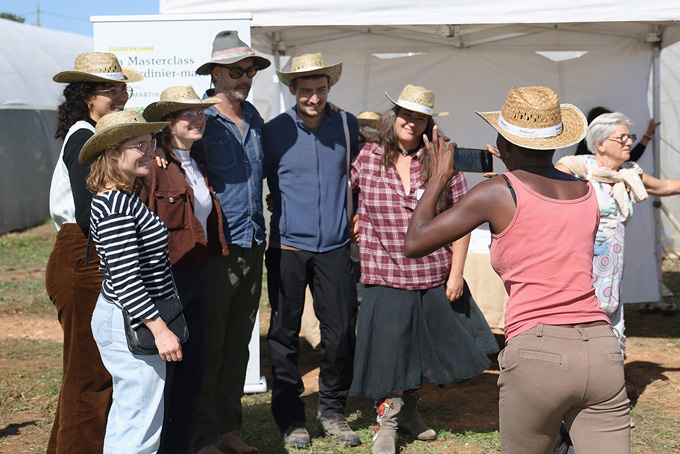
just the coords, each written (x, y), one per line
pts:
(231, 150)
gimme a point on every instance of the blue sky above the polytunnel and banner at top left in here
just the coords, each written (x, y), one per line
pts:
(74, 15)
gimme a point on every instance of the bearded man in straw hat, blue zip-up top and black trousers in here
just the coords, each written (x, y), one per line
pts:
(306, 159)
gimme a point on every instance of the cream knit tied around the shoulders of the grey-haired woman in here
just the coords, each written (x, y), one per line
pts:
(627, 184)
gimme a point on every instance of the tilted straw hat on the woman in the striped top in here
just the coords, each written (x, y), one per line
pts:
(115, 128)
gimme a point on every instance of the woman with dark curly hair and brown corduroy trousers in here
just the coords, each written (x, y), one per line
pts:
(96, 87)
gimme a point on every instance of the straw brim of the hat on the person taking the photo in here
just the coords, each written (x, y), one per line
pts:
(574, 129)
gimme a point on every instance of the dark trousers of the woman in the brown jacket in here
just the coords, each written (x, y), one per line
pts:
(184, 378)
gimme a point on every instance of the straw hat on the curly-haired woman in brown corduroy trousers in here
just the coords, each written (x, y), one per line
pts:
(98, 67)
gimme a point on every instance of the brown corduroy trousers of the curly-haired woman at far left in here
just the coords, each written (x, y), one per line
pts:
(85, 397)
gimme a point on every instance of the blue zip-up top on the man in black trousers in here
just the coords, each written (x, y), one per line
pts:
(307, 175)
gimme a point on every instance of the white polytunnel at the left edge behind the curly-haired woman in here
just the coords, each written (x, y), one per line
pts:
(29, 57)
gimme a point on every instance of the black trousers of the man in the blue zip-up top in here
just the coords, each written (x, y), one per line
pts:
(330, 277)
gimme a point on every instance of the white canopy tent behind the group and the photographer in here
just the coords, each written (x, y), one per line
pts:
(593, 53)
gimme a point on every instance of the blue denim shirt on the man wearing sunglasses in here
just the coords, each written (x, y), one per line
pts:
(234, 165)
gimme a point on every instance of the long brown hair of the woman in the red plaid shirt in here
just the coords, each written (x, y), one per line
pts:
(388, 141)
